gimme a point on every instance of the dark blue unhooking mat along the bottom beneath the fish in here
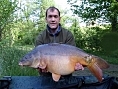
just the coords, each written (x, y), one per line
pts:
(71, 82)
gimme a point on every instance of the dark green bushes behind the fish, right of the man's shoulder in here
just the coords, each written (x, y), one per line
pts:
(89, 38)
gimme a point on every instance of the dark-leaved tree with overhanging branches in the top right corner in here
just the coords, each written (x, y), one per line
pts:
(104, 10)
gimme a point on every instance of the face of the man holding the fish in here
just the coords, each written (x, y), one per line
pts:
(53, 19)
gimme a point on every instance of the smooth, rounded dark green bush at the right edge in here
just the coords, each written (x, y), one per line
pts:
(109, 43)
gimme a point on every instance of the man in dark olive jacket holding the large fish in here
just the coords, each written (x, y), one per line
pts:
(54, 33)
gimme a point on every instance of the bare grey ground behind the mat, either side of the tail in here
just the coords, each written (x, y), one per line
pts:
(111, 71)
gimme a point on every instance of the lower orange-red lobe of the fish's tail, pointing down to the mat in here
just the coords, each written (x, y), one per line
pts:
(97, 72)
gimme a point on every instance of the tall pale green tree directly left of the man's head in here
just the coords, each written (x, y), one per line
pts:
(31, 20)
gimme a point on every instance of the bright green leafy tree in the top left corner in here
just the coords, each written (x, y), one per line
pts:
(7, 8)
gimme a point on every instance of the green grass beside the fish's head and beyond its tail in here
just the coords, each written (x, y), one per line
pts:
(10, 56)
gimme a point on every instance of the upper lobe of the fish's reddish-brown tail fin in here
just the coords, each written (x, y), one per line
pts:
(101, 63)
